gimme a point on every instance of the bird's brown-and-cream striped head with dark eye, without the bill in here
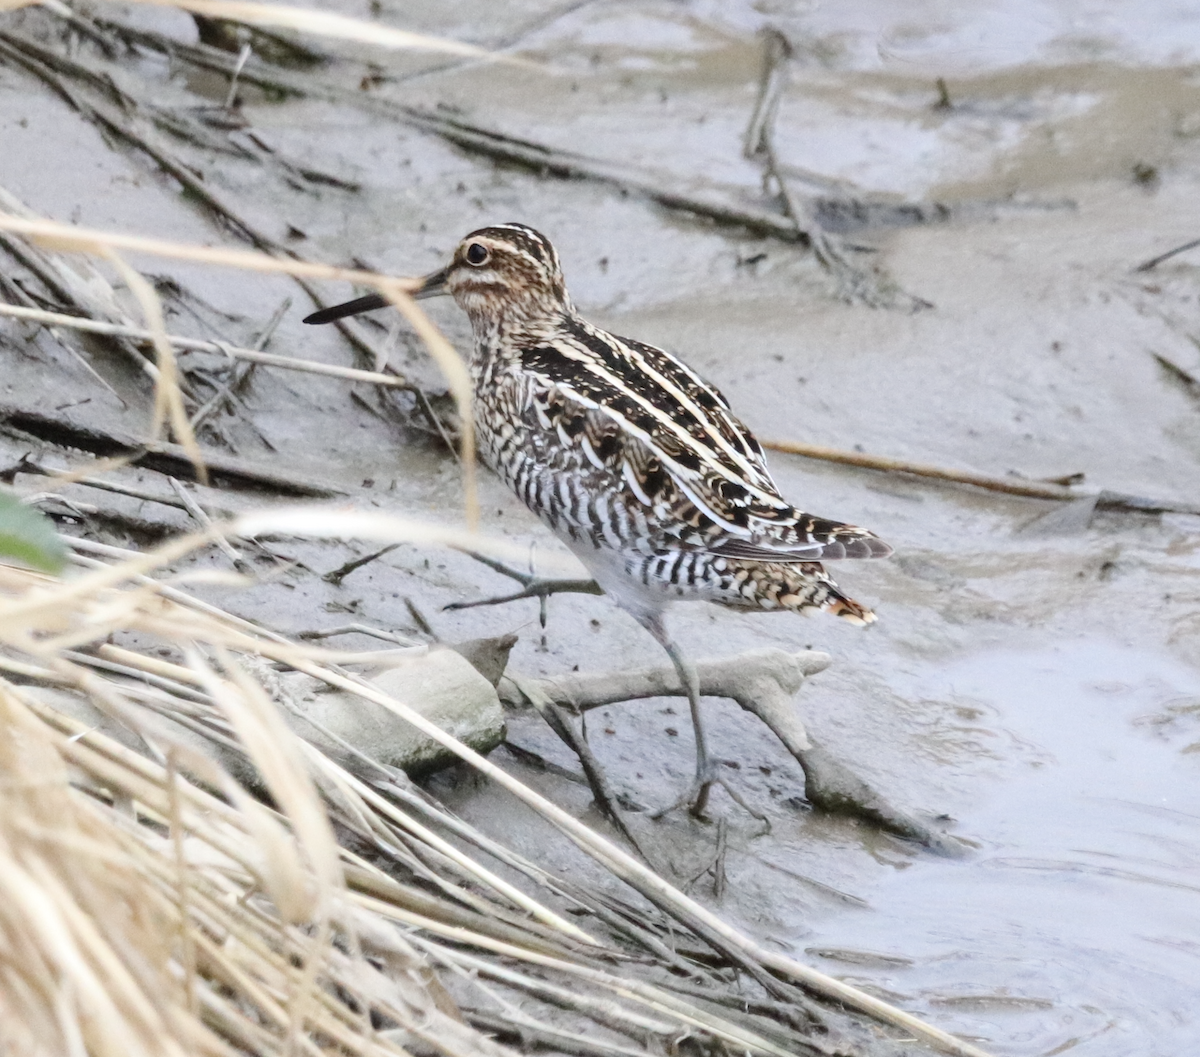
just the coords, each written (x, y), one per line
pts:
(506, 272)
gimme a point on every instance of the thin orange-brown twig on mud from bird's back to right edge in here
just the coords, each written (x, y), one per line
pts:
(1012, 487)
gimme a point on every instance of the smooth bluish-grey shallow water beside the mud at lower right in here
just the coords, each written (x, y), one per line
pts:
(1075, 924)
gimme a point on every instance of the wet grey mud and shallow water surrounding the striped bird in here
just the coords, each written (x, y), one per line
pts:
(1039, 683)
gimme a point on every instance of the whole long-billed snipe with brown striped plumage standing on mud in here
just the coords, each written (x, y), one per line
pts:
(629, 457)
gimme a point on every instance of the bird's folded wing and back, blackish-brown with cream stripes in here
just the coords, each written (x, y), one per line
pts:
(671, 436)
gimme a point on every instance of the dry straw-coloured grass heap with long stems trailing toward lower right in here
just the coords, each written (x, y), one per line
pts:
(151, 905)
